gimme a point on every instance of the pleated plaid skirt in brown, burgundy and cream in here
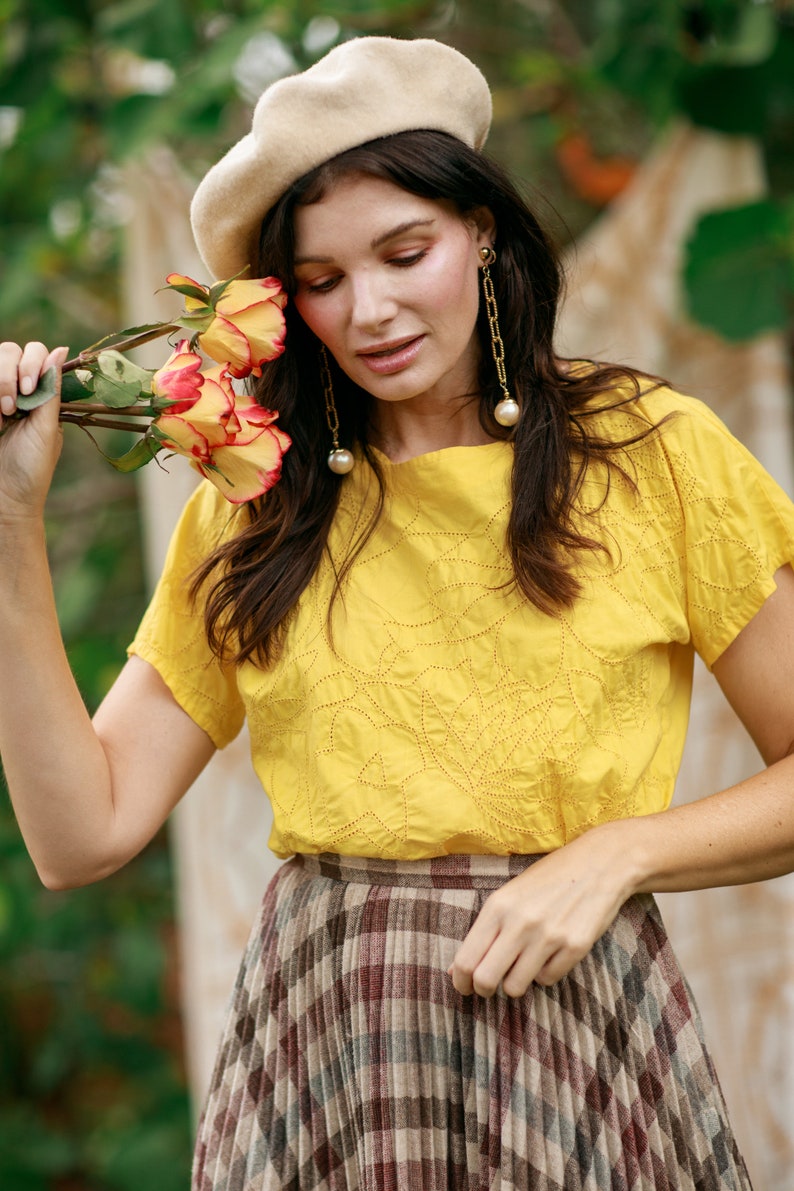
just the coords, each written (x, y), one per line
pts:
(351, 1063)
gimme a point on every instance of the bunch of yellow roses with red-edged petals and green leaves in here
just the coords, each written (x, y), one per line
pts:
(182, 408)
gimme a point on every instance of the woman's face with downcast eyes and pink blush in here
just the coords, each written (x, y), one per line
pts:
(389, 282)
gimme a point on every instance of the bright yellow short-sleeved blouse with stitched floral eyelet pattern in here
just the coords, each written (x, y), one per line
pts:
(445, 714)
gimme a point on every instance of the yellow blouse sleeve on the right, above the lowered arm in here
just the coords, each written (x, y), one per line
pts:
(739, 526)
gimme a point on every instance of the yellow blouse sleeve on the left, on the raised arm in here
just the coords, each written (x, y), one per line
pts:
(172, 637)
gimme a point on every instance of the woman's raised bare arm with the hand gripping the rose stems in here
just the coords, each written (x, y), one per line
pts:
(87, 797)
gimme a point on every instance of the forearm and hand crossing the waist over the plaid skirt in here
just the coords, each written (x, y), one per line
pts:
(542, 922)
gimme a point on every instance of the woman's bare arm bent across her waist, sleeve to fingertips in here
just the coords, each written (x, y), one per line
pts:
(539, 926)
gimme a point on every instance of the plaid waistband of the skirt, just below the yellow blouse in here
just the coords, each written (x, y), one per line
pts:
(454, 872)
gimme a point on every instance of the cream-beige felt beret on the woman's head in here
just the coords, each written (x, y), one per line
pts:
(365, 89)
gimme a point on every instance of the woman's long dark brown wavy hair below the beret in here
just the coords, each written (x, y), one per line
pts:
(257, 578)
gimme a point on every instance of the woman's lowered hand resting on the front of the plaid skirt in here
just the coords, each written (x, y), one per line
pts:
(543, 922)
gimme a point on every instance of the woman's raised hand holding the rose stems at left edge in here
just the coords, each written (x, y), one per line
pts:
(30, 448)
